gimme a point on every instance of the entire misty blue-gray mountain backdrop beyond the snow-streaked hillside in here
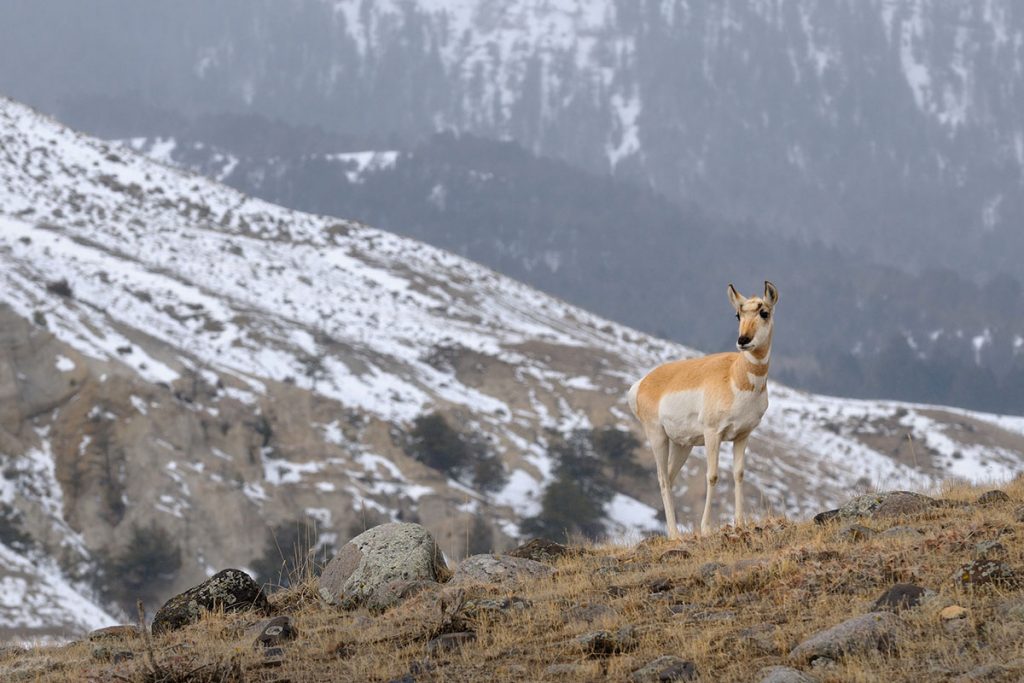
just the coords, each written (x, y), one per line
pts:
(630, 157)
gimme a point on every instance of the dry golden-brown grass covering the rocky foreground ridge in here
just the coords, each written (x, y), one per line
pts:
(783, 582)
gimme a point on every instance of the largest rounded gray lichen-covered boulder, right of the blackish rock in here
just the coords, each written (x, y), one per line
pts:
(381, 567)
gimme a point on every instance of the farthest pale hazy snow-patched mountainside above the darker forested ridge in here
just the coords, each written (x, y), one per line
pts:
(889, 126)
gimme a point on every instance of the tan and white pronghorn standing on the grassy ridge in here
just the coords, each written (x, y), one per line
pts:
(708, 401)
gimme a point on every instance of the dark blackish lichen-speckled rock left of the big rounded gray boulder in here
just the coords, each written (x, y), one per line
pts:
(231, 590)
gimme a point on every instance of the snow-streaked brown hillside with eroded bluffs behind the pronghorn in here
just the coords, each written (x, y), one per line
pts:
(181, 356)
